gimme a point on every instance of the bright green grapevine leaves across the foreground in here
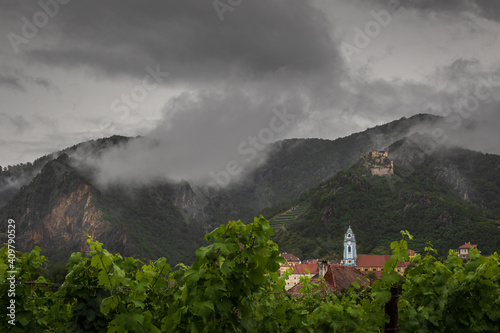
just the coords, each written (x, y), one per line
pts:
(233, 286)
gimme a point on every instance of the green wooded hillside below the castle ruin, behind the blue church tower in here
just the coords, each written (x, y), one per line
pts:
(448, 196)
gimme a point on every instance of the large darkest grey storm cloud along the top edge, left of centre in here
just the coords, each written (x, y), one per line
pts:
(187, 39)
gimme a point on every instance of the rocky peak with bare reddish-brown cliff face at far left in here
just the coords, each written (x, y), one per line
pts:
(57, 211)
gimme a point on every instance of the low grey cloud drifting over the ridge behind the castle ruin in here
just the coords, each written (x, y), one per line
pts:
(463, 92)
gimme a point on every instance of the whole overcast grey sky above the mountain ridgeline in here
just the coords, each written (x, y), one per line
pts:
(204, 76)
